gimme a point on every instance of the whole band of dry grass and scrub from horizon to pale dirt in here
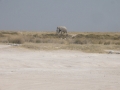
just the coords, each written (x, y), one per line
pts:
(83, 41)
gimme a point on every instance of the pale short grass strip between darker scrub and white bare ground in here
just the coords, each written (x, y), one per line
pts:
(89, 48)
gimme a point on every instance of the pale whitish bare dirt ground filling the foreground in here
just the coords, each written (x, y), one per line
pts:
(22, 69)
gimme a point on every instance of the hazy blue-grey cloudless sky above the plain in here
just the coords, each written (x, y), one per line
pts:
(46, 15)
